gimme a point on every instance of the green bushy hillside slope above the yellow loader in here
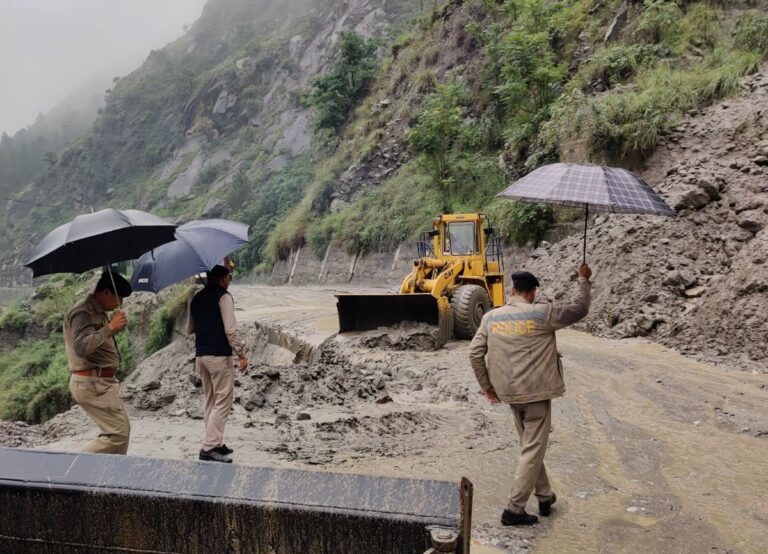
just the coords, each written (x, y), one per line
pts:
(547, 79)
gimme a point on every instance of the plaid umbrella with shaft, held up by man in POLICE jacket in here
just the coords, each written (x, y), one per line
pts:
(604, 189)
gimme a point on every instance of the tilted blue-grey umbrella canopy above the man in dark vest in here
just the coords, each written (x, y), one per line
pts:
(199, 246)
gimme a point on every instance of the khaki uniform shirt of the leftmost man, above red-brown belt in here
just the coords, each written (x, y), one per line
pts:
(88, 341)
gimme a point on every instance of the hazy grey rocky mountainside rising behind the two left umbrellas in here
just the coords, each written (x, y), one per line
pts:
(222, 99)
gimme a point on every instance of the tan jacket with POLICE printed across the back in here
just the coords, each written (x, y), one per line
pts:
(522, 363)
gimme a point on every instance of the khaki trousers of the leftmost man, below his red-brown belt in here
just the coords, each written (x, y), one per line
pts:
(100, 398)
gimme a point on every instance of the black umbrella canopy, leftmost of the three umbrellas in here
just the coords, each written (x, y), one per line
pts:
(98, 239)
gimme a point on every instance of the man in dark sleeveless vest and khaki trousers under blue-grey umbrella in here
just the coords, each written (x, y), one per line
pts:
(212, 320)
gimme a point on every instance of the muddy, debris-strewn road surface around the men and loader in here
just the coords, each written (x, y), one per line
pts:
(650, 451)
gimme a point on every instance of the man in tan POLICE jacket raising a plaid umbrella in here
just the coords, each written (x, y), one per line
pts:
(523, 369)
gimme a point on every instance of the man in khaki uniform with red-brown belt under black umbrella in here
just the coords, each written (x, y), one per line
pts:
(89, 337)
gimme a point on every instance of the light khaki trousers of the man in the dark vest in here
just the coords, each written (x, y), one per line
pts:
(218, 376)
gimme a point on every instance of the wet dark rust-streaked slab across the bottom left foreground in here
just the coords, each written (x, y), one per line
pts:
(65, 503)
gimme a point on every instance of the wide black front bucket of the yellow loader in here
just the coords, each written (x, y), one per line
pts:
(364, 312)
